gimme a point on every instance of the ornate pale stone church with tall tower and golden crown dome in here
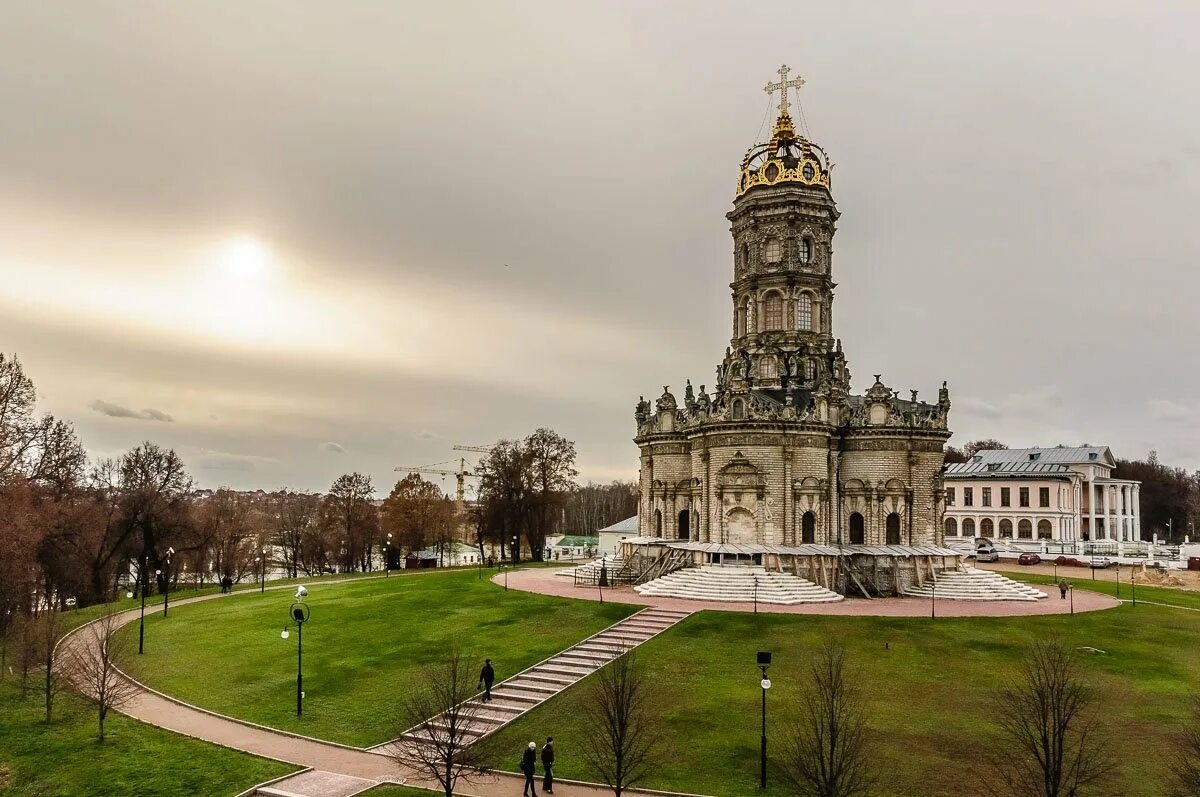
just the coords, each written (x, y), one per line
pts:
(782, 453)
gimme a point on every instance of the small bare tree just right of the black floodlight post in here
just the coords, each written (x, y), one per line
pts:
(825, 750)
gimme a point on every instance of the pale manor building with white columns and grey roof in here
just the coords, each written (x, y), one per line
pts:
(1059, 494)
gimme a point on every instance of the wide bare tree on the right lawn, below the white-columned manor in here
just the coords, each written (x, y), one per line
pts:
(1055, 746)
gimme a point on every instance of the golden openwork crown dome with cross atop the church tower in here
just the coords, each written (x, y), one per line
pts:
(788, 157)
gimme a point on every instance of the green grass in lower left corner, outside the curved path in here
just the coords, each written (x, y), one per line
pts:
(136, 759)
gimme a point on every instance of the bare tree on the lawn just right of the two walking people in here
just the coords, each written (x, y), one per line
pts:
(620, 748)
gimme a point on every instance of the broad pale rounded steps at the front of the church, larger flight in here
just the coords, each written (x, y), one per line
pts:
(737, 585)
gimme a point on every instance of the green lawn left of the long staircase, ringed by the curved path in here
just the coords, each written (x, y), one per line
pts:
(363, 649)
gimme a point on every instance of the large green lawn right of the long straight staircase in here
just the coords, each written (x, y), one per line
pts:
(932, 688)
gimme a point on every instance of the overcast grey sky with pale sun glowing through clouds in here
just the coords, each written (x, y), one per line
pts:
(295, 239)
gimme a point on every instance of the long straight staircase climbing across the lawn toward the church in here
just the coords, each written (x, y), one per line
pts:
(527, 690)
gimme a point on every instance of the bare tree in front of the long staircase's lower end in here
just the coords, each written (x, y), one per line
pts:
(442, 718)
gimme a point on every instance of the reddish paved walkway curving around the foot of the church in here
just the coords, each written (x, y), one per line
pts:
(548, 584)
